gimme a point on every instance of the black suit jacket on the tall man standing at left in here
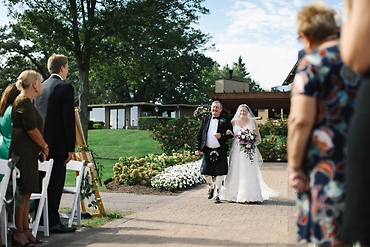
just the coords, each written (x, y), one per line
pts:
(56, 106)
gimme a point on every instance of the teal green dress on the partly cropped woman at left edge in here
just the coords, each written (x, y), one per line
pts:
(5, 133)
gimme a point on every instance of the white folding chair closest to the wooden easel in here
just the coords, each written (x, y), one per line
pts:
(82, 169)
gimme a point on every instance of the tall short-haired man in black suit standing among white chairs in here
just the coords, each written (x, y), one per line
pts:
(56, 105)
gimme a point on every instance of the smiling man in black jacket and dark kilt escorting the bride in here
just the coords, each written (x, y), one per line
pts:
(211, 139)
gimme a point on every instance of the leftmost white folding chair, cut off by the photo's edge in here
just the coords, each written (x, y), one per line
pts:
(5, 171)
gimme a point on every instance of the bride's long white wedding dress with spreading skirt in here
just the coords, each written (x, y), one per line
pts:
(244, 182)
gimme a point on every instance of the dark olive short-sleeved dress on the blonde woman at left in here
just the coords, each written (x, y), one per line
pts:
(25, 118)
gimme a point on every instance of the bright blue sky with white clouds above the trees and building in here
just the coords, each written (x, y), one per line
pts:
(262, 32)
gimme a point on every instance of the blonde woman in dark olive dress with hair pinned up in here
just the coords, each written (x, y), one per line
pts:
(26, 145)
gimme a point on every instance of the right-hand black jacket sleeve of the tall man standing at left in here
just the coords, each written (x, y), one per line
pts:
(69, 117)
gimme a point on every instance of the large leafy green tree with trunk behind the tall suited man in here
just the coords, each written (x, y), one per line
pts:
(138, 33)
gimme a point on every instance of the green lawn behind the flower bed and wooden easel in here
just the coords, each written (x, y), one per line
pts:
(107, 145)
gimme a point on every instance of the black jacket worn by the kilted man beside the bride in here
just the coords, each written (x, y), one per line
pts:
(223, 125)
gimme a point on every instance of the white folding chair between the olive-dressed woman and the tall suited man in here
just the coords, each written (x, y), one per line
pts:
(42, 208)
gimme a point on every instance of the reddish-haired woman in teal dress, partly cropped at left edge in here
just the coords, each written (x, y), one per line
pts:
(6, 124)
